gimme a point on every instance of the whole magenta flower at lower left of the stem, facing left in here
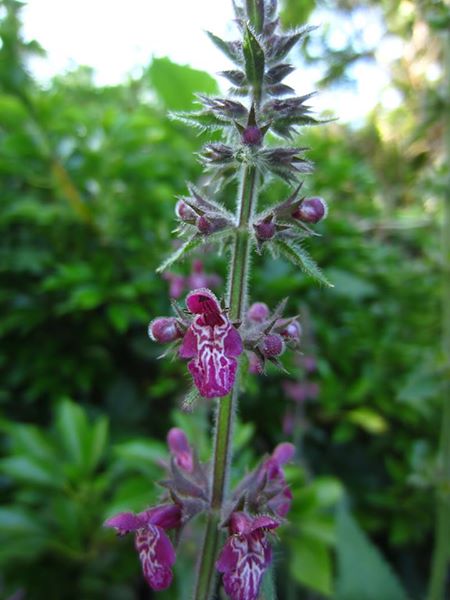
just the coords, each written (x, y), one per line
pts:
(155, 550)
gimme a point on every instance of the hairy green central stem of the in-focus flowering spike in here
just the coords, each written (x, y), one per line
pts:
(226, 407)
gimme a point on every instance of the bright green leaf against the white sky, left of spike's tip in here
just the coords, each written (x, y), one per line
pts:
(176, 85)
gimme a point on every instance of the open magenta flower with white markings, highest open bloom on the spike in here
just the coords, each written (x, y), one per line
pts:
(213, 343)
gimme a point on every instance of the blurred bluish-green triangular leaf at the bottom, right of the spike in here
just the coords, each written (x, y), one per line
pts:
(363, 573)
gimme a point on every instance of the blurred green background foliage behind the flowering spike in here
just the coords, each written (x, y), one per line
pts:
(89, 177)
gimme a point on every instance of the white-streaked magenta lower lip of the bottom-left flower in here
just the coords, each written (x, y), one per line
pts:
(157, 556)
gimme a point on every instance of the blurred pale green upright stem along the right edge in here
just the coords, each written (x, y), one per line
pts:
(441, 554)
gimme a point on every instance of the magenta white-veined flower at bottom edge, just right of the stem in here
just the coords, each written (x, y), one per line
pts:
(246, 555)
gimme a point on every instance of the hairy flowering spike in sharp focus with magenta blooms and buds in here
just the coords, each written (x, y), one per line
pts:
(213, 334)
